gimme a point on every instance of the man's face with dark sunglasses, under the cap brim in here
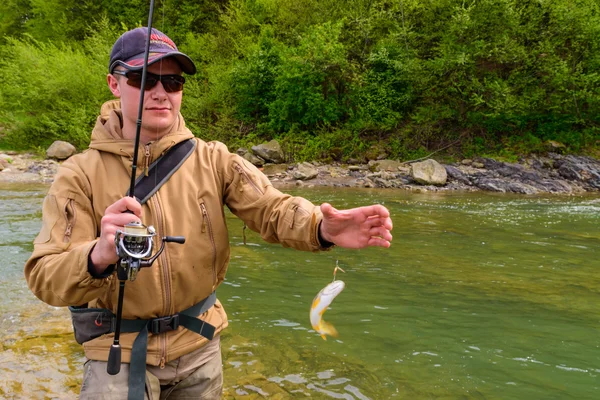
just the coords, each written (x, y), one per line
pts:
(161, 108)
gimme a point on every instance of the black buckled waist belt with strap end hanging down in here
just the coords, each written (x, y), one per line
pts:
(186, 318)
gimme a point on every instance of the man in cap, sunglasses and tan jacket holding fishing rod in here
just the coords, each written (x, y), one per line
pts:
(73, 262)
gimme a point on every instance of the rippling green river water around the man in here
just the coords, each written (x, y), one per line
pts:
(480, 297)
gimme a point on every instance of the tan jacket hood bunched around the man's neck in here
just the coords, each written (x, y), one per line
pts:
(107, 135)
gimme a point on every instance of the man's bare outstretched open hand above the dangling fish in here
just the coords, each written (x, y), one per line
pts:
(357, 227)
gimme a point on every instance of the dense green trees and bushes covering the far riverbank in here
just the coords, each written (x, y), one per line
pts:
(330, 79)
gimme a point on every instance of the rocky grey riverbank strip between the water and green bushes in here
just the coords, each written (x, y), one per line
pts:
(550, 173)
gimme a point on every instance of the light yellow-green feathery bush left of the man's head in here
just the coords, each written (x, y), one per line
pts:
(54, 90)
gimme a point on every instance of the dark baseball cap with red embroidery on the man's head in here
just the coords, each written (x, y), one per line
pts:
(128, 51)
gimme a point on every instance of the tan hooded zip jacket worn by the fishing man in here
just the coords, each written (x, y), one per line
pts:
(190, 204)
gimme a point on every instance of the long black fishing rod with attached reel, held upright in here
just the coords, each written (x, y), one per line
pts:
(134, 243)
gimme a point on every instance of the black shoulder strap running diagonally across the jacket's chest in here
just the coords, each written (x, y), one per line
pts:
(161, 170)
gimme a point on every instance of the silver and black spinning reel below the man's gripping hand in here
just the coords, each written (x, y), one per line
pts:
(134, 248)
